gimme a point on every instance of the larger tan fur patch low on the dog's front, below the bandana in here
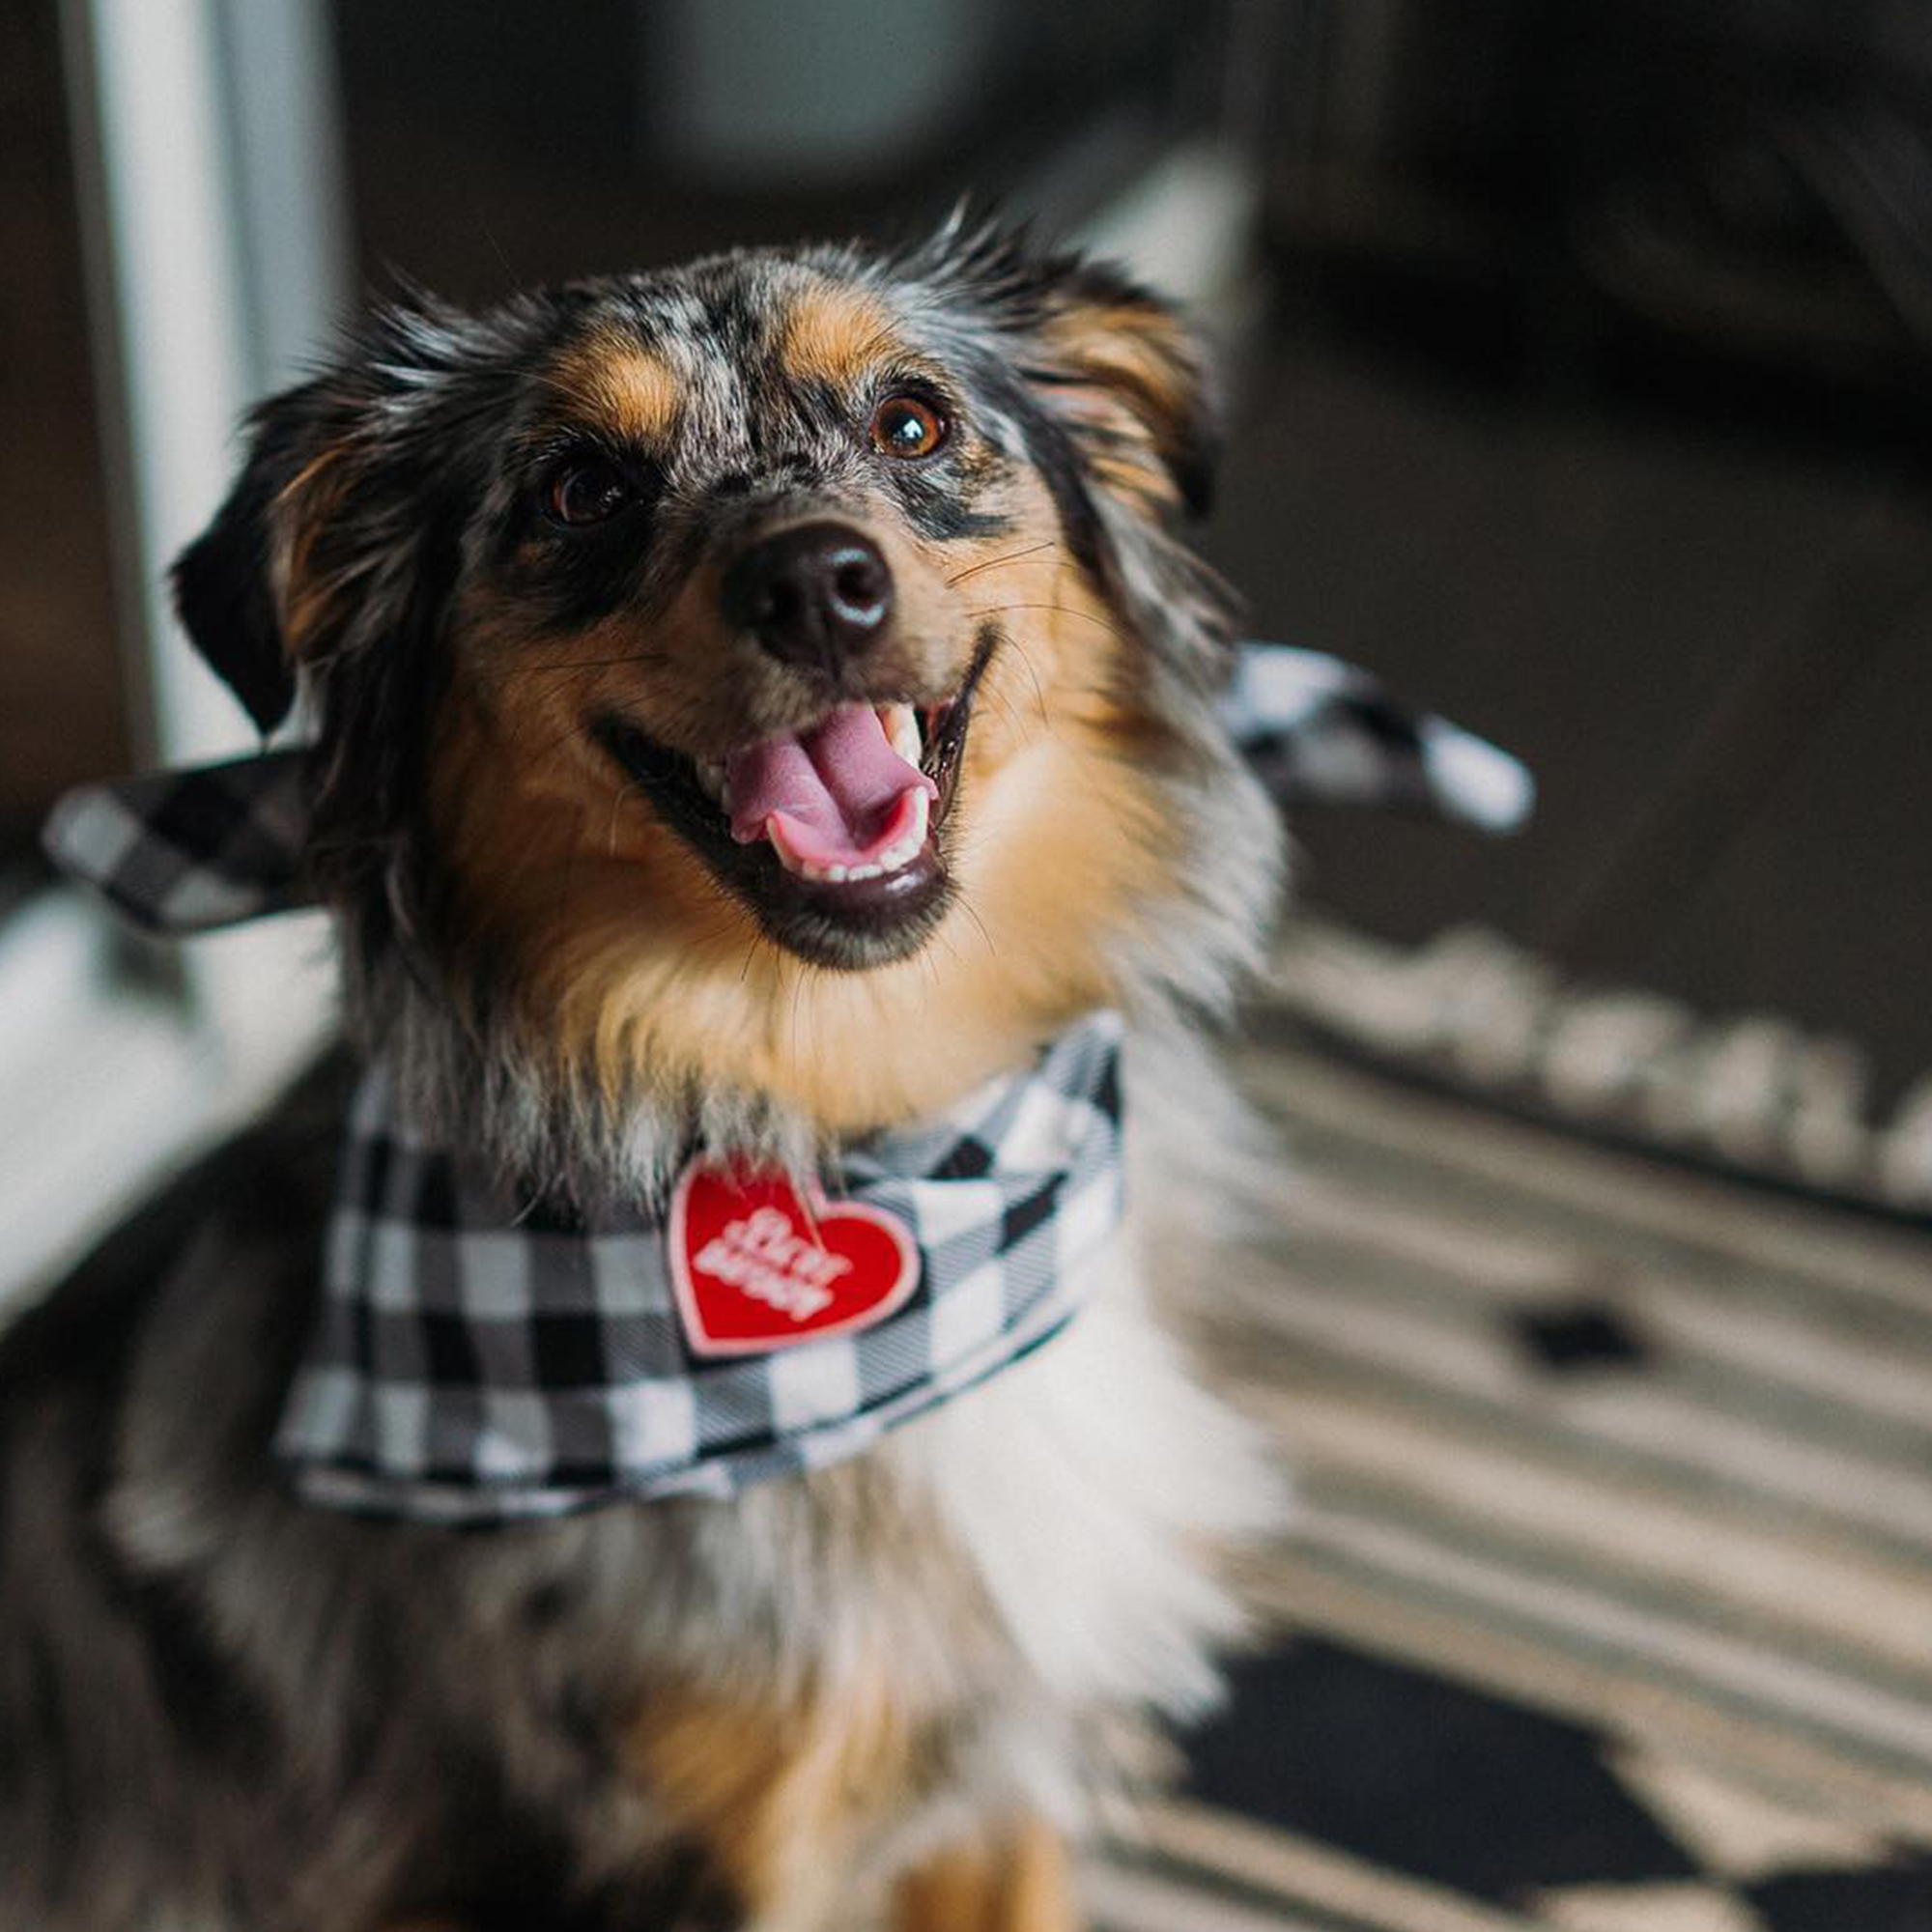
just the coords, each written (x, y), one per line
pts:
(780, 1798)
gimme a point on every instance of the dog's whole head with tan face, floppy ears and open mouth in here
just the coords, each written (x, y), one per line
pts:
(778, 675)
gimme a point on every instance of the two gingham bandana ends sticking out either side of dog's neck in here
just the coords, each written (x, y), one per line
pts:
(188, 851)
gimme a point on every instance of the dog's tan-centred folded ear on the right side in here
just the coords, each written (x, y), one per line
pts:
(1127, 380)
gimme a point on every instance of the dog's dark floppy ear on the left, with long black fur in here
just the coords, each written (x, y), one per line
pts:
(333, 565)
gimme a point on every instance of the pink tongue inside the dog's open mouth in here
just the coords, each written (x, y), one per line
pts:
(838, 787)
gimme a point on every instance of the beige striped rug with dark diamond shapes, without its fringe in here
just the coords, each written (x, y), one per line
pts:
(1610, 1599)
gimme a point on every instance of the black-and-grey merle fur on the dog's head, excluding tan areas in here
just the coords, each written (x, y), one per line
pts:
(441, 451)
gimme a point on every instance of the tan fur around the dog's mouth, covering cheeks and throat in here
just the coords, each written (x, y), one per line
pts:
(633, 959)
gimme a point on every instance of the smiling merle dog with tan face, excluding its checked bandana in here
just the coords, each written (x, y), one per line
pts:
(754, 710)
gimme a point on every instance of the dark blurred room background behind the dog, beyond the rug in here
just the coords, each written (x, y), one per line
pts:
(1581, 393)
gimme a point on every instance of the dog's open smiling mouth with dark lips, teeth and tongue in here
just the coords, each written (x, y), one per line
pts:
(834, 834)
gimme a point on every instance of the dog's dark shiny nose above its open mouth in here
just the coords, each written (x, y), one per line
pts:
(816, 594)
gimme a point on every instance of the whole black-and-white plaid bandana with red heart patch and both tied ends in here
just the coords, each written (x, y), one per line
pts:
(482, 1359)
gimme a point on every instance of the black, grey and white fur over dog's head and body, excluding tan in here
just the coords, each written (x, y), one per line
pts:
(225, 1711)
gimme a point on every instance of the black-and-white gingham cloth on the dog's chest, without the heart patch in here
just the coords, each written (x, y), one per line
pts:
(482, 1359)
